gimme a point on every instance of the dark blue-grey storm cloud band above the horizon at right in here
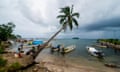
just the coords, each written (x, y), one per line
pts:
(111, 23)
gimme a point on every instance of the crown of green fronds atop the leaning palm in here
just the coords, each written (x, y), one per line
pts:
(68, 17)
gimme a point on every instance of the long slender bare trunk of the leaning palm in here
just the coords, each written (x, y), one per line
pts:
(45, 44)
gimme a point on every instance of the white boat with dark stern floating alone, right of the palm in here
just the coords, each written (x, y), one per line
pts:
(94, 51)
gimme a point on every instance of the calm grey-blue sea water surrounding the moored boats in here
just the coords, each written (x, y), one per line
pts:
(80, 54)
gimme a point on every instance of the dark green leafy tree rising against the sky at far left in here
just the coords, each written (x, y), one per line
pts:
(6, 31)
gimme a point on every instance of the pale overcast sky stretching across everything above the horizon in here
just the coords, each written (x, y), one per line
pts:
(37, 18)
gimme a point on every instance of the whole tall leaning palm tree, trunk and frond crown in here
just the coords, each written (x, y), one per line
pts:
(68, 18)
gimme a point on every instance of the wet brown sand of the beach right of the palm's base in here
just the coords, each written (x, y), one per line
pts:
(59, 64)
